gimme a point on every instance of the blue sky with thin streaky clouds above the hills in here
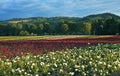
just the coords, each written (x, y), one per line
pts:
(51, 8)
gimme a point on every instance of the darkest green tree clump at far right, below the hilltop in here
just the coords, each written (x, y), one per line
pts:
(109, 26)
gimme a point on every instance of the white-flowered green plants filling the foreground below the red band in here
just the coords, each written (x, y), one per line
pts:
(100, 60)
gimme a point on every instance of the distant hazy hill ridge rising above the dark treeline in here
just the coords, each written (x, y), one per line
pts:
(60, 18)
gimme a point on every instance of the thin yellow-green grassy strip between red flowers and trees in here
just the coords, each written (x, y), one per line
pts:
(49, 37)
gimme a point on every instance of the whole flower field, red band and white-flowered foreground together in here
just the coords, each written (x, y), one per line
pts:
(98, 56)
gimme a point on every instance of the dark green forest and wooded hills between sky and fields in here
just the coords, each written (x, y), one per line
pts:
(99, 24)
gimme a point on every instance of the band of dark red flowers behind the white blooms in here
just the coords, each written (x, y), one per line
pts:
(15, 48)
